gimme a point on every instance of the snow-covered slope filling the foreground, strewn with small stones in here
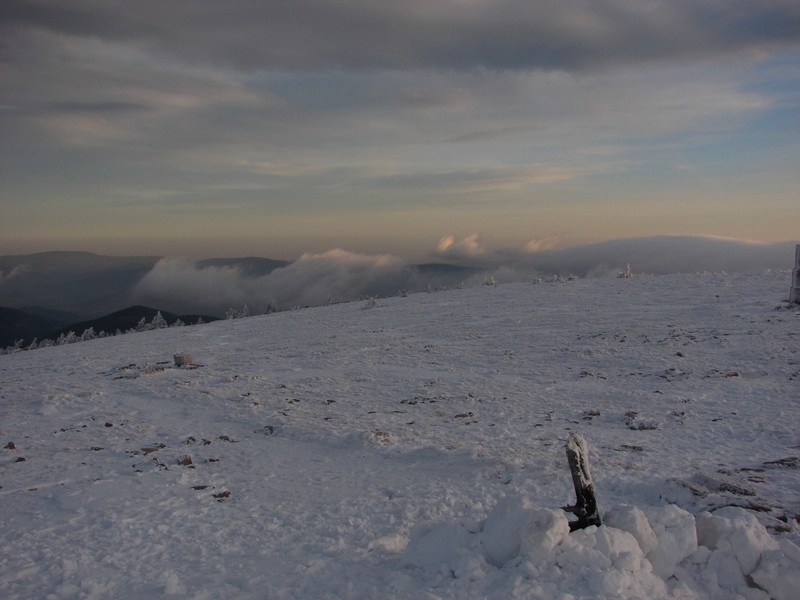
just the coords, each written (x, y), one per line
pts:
(414, 448)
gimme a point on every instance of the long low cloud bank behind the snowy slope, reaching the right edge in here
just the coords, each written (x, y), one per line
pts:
(339, 275)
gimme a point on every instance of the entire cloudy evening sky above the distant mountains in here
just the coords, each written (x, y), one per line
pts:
(270, 128)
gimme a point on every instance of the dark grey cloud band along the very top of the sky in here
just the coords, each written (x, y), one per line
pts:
(384, 34)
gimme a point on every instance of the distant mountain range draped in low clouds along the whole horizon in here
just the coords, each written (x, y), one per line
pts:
(78, 287)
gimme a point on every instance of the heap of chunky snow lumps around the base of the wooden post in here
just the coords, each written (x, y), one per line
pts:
(662, 552)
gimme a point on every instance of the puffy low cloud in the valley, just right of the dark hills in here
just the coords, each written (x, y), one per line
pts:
(313, 279)
